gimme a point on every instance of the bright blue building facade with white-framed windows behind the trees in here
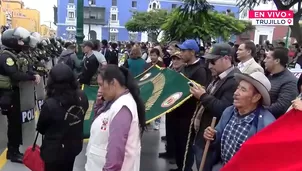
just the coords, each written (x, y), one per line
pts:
(107, 19)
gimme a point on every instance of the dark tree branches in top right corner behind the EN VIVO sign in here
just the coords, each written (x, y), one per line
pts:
(296, 29)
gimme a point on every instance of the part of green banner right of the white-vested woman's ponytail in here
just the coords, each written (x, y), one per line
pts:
(162, 92)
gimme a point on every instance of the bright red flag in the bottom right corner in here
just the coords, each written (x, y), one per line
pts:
(278, 147)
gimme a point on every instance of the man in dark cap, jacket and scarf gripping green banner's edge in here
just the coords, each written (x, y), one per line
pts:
(217, 96)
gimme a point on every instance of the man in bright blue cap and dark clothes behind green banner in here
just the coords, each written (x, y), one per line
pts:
(198, 72)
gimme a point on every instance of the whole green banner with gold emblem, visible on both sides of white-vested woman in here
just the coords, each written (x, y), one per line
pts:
(162, 90)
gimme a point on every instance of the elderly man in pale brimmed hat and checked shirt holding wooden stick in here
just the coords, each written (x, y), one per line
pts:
(240, 121)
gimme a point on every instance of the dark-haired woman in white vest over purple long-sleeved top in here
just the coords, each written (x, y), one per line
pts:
(115, 135)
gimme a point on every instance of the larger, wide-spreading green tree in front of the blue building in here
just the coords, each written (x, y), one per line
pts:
(197, 19)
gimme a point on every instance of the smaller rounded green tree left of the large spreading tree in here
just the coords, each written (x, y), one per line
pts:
(149, 22)
